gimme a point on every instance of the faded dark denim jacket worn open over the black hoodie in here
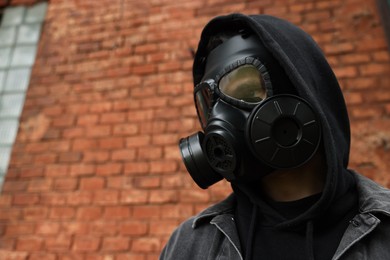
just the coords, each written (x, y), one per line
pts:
(213, 235)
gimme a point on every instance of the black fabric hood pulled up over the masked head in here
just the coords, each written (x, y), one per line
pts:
(314, 81)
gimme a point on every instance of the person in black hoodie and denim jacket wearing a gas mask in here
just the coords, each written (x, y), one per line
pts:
(275, 125)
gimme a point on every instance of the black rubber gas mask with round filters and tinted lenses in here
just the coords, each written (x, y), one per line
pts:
(253, 120)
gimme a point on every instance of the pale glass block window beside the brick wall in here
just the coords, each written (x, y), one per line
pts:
(20, 30)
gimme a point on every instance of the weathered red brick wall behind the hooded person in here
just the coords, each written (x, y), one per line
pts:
(96, 172)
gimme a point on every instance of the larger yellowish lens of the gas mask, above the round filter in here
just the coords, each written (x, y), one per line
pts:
(244, 83)
